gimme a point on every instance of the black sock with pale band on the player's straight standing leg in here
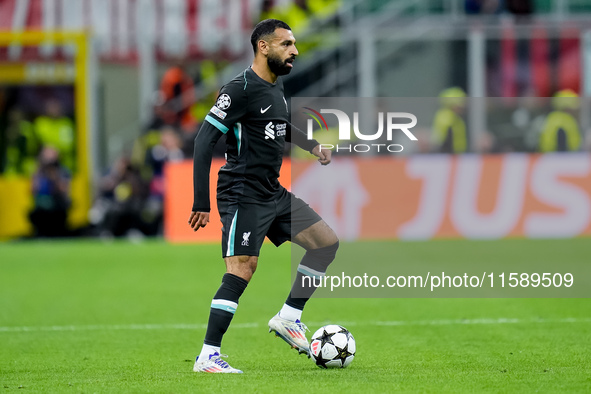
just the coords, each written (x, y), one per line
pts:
(223, 307)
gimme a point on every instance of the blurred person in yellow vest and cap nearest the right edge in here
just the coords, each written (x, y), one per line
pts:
(560, 132)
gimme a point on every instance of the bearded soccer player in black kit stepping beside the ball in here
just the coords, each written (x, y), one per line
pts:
(252, 111)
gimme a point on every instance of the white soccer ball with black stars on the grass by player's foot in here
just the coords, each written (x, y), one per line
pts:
(332, 346)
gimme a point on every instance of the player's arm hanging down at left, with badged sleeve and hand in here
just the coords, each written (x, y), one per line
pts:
(230, 107)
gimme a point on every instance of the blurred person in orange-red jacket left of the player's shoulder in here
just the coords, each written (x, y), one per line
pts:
(177, 92)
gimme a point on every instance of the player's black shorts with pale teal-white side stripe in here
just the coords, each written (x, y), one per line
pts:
(246, 222)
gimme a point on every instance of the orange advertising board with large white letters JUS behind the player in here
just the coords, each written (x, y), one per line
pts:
(422, 196)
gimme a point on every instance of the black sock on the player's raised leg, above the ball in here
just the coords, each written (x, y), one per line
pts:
(313, 265)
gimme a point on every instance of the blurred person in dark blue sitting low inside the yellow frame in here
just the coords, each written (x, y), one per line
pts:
(52, 196)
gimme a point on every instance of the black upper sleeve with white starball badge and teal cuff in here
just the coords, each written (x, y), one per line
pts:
(230, 106)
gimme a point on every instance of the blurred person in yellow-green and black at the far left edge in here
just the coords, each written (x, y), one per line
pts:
(22, 146)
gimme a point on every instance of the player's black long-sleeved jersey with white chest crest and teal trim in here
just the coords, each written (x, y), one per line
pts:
(254, 115)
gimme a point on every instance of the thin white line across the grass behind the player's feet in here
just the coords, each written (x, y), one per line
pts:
(445, 322)
